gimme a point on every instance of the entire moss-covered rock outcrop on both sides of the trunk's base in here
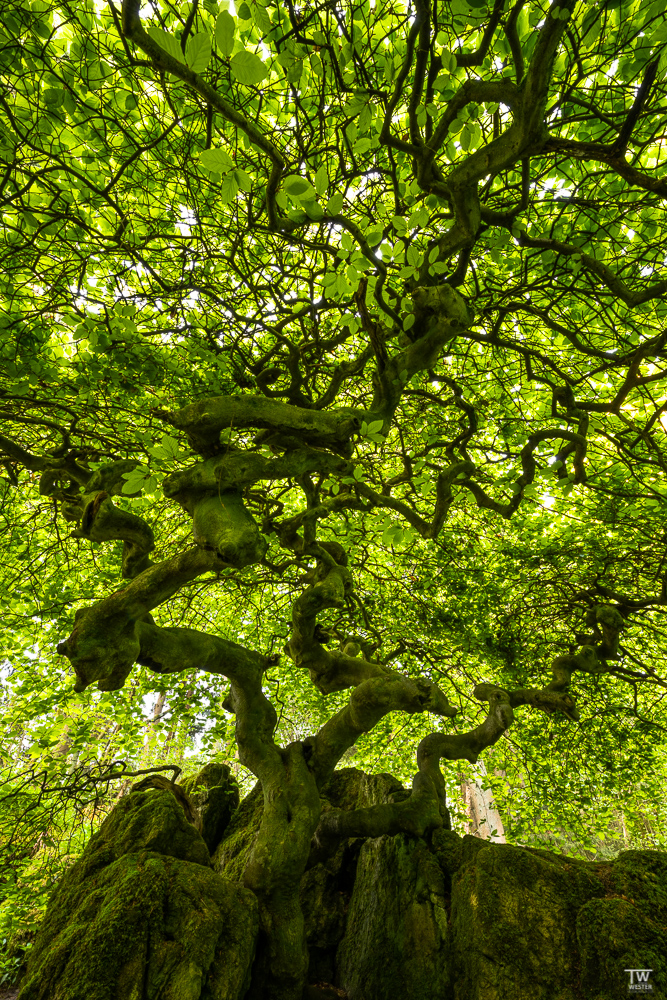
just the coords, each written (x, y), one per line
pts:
(146, 915)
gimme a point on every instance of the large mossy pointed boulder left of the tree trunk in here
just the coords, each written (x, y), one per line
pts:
(143, 916)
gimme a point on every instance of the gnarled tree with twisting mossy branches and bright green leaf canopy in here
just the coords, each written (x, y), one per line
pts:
(348, 274)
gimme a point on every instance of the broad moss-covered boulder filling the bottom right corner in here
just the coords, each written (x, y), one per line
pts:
(532, 925)
